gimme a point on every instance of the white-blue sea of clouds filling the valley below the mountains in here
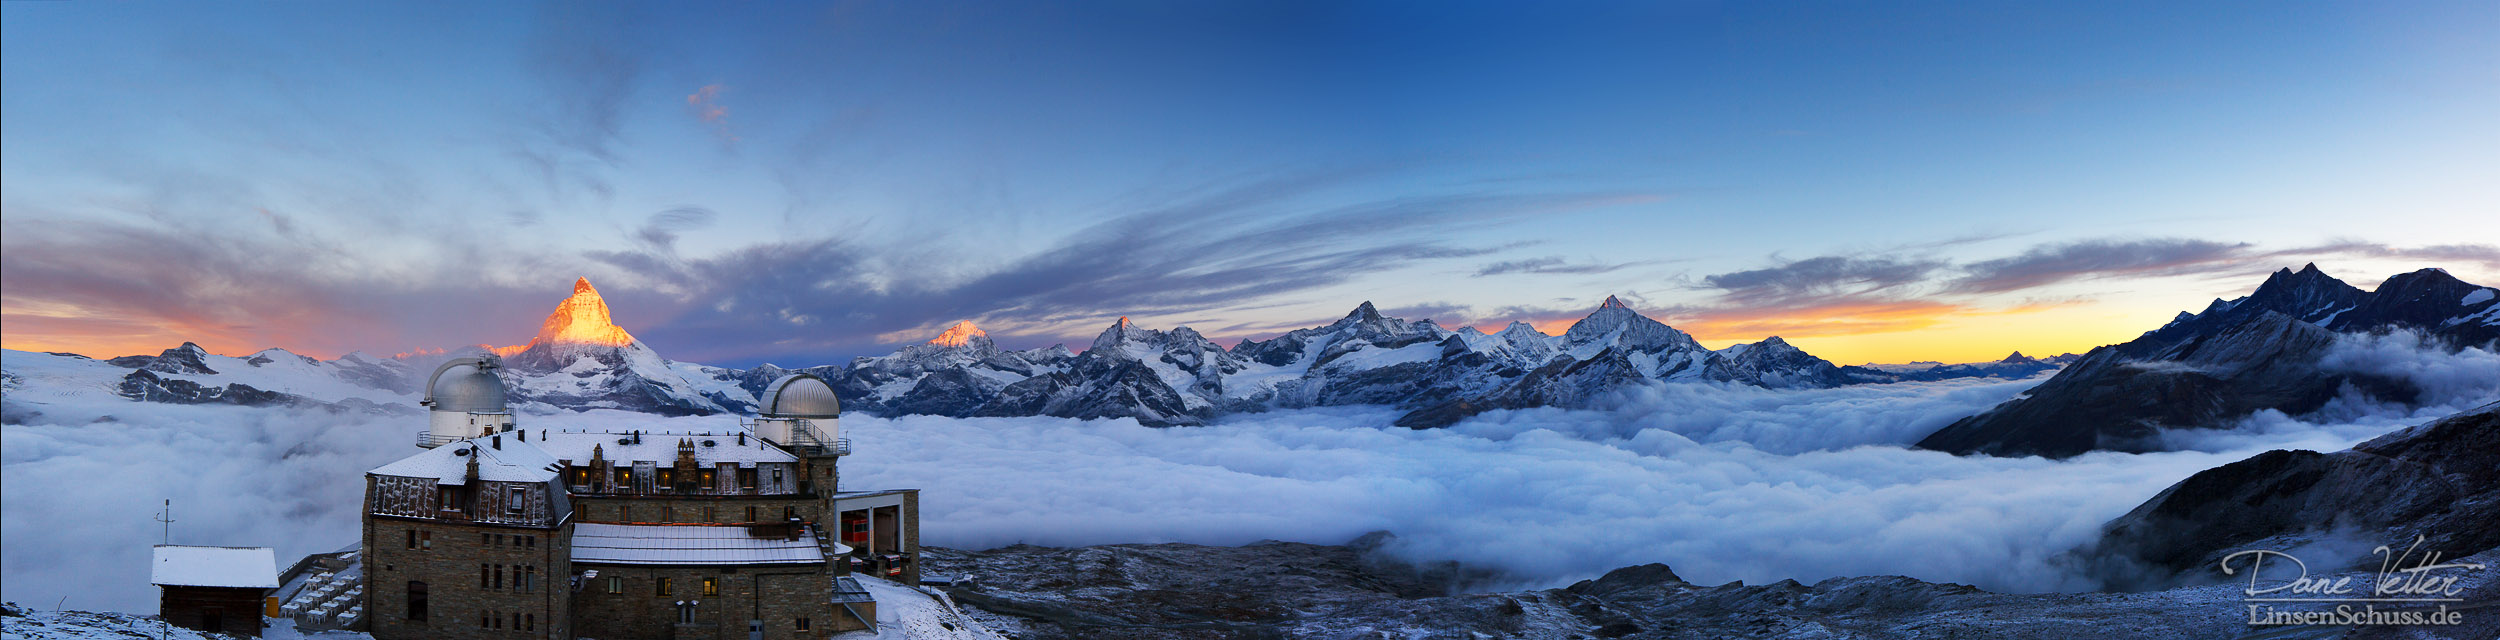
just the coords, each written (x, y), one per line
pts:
(1721, 484)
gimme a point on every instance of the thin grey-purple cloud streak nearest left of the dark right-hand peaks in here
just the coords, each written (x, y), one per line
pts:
(2101, 259)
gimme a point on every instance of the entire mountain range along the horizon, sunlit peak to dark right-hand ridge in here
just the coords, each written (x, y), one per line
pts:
(2201, 371)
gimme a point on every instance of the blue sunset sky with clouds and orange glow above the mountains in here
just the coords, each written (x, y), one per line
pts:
(804, 184)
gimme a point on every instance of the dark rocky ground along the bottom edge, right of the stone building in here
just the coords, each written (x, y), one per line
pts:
(1351, 591)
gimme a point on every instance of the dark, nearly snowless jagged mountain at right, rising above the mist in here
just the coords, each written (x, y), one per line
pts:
(2229, 361)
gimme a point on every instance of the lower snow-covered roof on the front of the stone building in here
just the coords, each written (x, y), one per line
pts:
(689, 546)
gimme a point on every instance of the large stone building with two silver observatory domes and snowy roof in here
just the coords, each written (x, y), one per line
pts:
(504, 531)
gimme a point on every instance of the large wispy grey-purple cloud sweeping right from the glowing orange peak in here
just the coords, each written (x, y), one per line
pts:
(1221, 251)
